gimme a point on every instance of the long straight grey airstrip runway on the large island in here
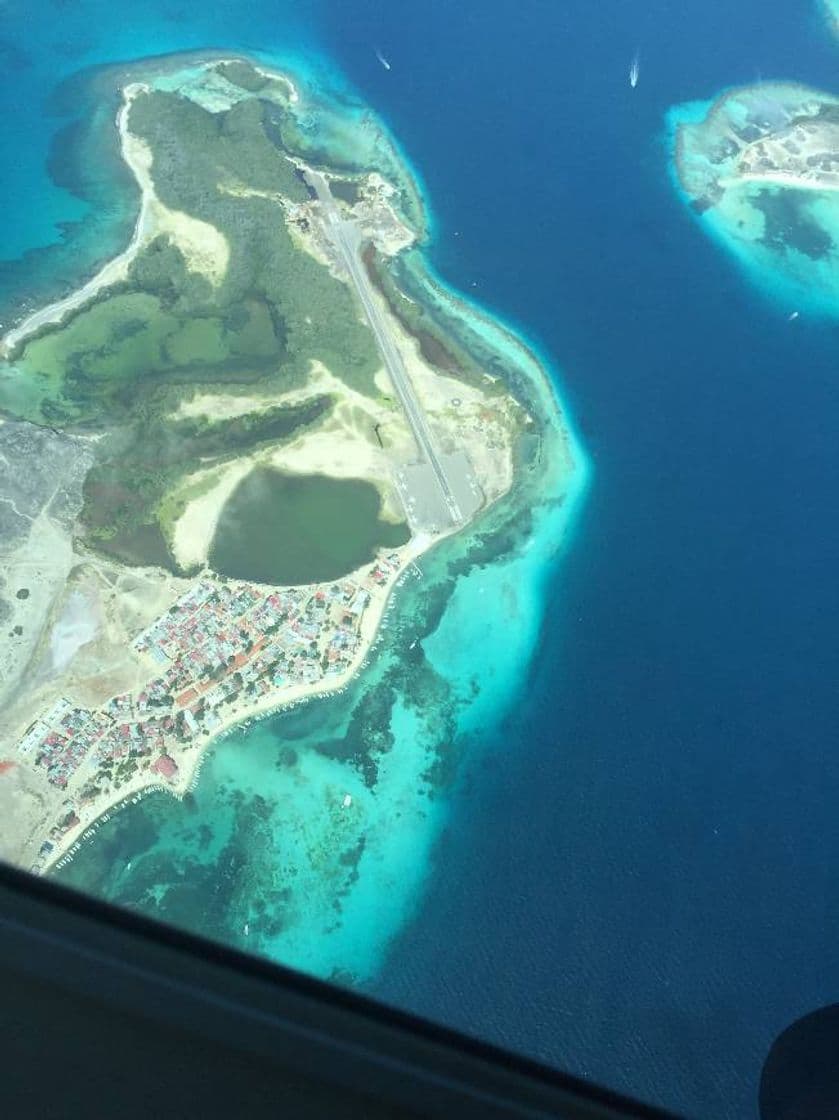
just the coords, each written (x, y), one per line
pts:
(348, 241)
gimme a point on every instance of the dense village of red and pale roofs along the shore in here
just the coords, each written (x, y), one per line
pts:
(225, 646)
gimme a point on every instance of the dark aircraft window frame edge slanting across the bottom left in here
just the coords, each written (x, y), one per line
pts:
(327, 1051)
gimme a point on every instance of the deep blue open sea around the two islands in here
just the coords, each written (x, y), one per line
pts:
(640, 882)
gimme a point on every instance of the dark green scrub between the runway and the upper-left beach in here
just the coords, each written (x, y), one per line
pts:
(218, 160)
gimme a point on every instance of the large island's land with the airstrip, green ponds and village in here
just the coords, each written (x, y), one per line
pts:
(222, 453)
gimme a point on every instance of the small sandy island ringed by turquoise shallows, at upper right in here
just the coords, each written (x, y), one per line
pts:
(760, 169)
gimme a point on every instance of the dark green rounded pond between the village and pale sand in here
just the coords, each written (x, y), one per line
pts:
(301, 529)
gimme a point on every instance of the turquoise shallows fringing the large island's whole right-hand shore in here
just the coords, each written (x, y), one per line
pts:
(310, 835)
